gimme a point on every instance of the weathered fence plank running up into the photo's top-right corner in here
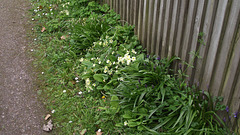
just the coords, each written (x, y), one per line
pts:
(226, 48)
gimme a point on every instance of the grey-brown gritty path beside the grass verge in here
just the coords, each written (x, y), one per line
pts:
(21, 113)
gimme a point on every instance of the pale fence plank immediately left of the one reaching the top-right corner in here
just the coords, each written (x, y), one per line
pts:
(218, 24)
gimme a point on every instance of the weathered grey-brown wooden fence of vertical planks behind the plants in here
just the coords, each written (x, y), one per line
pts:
(172, 27)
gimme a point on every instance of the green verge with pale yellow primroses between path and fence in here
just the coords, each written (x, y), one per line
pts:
(95, 75)
